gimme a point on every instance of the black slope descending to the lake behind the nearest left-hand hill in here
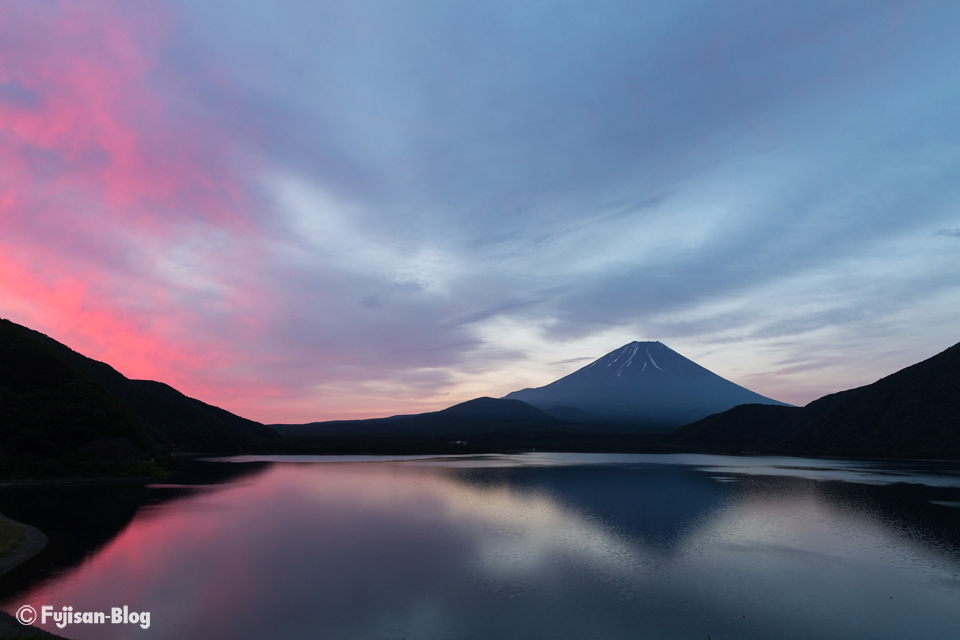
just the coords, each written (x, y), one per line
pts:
(171, 418)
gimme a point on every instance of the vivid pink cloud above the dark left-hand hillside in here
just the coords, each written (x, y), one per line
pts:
(103, 180)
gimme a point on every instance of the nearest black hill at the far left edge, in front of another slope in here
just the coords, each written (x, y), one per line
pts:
(54, 417)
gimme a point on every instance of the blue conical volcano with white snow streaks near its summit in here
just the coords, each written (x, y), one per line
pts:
(642, 382)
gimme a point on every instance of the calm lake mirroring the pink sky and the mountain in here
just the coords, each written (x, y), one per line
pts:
(506, 546)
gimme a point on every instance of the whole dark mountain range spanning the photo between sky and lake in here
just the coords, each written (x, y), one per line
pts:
(60, 405)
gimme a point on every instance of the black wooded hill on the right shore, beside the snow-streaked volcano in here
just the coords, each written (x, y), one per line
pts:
(913, 413)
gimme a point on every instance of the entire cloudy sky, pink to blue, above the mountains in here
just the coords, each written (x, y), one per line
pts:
(313, 210)
